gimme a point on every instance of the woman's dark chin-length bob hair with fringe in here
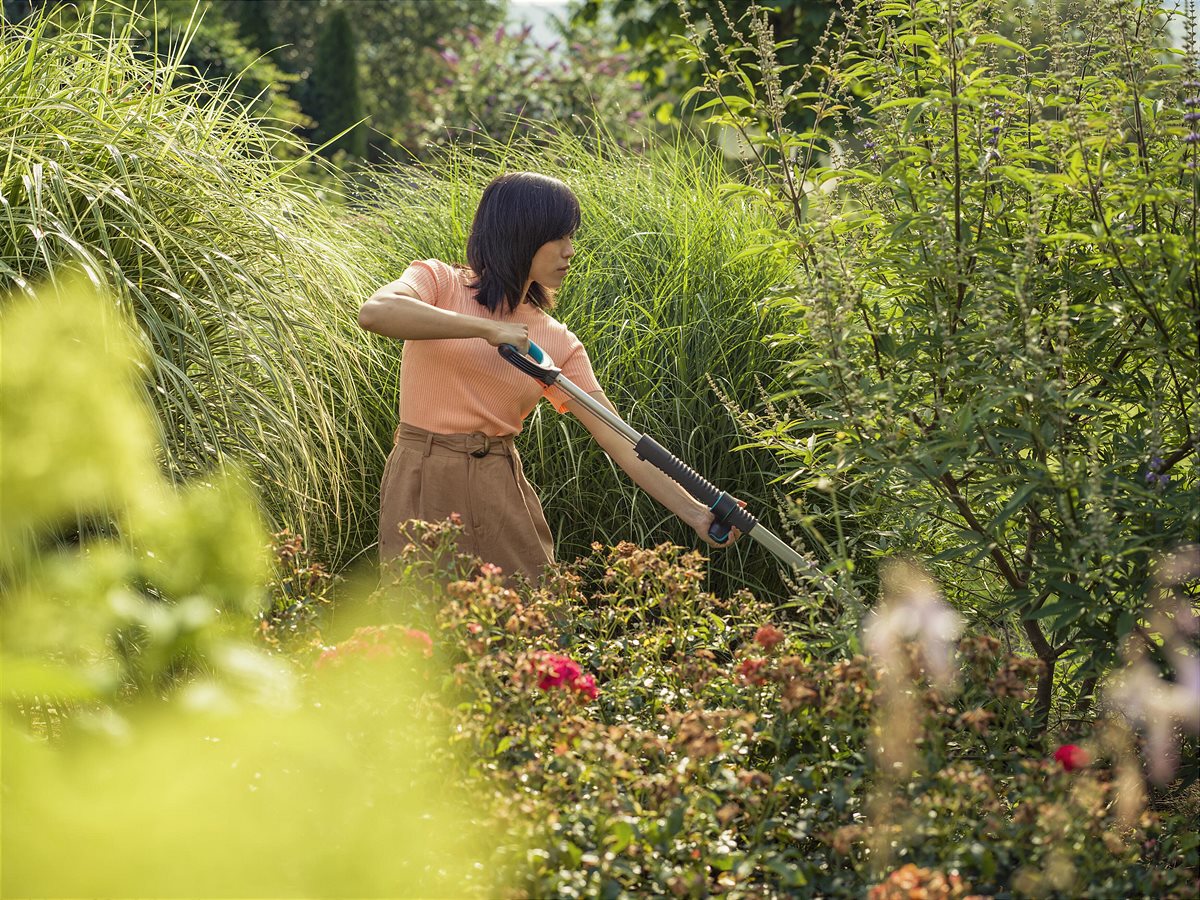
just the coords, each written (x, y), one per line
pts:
(518, 214)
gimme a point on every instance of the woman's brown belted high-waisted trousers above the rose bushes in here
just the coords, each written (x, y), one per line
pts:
(430, 476)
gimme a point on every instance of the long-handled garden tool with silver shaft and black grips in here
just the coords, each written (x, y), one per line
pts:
(727, 512)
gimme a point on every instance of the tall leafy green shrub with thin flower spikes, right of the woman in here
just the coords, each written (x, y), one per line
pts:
(995, 309)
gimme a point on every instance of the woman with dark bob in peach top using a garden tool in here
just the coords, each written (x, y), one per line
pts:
(461, 404)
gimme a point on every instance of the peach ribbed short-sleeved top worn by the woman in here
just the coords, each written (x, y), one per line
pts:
(460, 386)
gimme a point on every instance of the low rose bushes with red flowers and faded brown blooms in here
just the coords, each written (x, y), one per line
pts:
(637, 735)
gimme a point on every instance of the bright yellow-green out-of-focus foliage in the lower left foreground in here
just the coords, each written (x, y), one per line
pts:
(147, 736)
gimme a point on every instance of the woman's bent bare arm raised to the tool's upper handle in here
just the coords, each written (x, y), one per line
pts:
(395, 311)
